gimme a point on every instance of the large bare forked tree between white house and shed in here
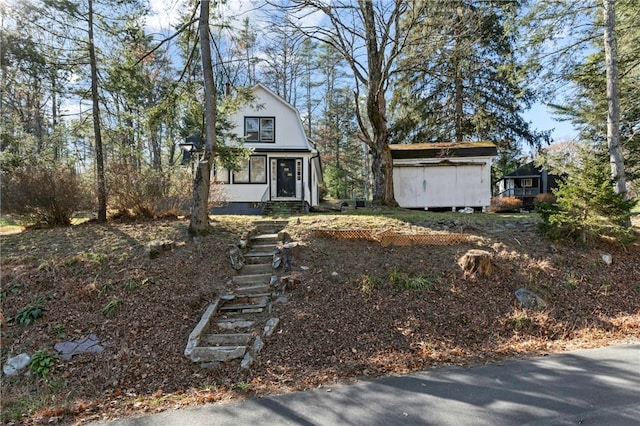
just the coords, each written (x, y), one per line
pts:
(370, 35)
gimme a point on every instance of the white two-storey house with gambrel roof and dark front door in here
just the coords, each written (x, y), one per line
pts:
(284, 166)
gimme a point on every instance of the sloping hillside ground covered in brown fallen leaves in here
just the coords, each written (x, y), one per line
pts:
(356, 309)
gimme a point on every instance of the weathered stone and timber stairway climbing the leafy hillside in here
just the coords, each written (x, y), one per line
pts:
(233, 327)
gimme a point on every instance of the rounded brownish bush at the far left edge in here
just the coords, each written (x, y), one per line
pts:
(45, 195)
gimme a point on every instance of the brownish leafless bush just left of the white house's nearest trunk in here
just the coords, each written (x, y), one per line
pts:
(148, 193)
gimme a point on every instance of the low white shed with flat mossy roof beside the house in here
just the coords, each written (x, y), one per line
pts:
(443, 175)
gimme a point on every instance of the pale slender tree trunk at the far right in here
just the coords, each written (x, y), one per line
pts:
(613, 98)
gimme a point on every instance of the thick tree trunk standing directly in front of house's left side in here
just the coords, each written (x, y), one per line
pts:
(200, 209)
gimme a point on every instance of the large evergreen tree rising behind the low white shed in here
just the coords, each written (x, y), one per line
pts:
(460, 79)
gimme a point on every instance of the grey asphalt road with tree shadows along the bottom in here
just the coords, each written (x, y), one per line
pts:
(587, 387)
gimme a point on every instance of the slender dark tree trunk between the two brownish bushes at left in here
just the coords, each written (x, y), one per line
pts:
(102, 190)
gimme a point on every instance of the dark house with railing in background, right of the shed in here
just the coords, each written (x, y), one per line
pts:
(526, 183)
